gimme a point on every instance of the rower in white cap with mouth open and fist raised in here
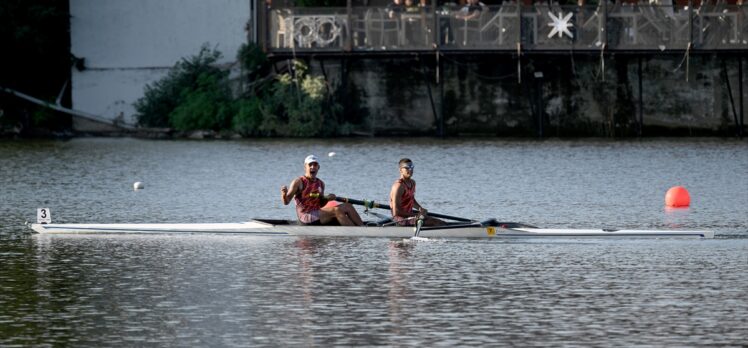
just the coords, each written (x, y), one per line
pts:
(309, 193)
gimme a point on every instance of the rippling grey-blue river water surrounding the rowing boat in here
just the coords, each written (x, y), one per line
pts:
(212, 290)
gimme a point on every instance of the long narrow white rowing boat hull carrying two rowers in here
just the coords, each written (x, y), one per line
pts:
(262, 228)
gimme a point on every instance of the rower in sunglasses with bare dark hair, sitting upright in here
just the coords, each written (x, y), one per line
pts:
(403, 199)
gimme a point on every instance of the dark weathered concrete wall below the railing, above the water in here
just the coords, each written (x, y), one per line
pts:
(481, 94)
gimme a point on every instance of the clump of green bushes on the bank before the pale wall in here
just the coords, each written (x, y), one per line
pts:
(197, 95)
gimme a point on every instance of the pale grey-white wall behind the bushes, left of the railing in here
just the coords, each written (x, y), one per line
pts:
(128, 44)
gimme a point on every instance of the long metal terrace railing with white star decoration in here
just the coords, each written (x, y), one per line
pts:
(509, 27)
